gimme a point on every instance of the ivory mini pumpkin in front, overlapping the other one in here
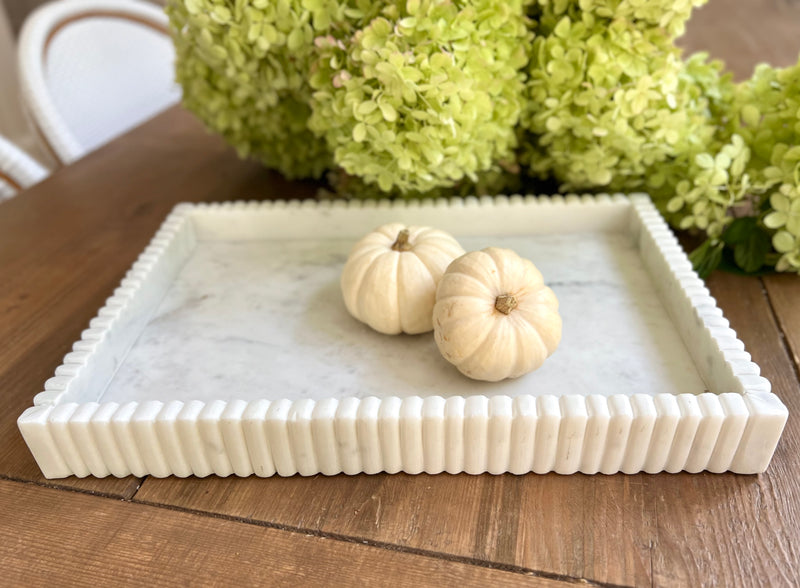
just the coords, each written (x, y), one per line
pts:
(494, 318)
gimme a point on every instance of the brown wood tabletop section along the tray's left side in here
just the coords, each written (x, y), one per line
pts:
(67, 242)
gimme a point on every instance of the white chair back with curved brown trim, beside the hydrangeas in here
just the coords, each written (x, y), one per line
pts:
(92, 69)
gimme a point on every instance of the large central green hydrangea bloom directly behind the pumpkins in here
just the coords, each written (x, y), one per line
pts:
(425, 95)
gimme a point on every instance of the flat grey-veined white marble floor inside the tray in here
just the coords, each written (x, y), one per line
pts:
(265, 319)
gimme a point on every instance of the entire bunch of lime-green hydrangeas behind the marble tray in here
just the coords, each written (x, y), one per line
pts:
(413, 98)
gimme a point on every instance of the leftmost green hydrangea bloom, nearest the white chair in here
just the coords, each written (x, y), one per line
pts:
(244, 67)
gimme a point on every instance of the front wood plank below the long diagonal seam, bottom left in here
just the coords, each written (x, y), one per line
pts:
(51, 538)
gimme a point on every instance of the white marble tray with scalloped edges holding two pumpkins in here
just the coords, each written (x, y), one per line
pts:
(227, 350)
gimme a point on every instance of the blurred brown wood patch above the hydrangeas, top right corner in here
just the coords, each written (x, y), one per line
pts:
(744, 34)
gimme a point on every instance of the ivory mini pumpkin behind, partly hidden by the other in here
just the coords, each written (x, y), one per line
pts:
(390, 278)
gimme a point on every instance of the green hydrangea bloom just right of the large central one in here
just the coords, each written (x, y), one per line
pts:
(609, 101)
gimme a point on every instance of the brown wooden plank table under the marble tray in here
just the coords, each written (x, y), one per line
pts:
(64, 246)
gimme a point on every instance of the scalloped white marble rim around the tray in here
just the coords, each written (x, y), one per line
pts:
(737, 430)
